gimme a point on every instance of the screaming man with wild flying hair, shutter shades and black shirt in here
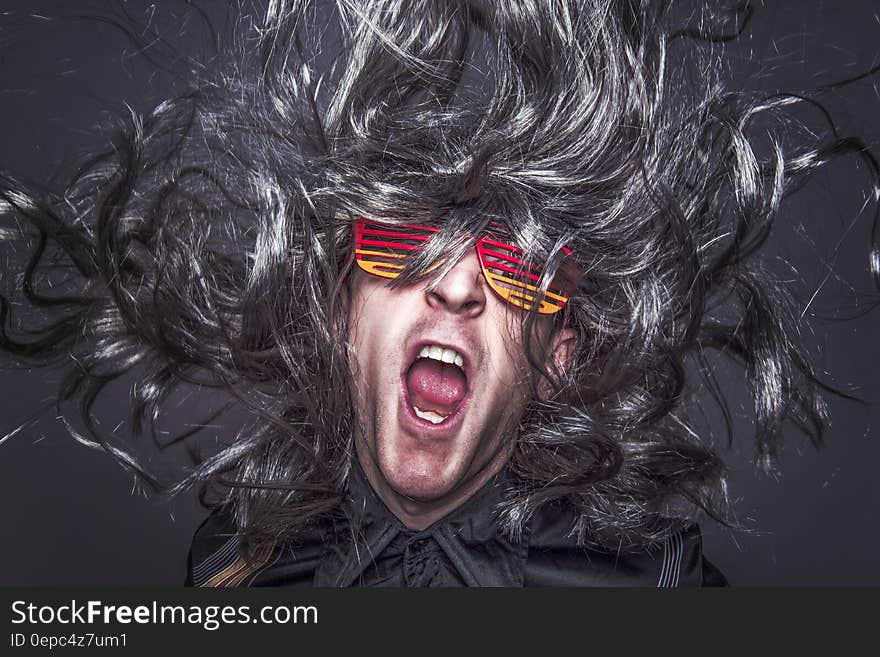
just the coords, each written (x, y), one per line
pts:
(463, 264)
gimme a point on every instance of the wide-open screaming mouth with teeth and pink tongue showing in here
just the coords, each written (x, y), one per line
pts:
(436, 383)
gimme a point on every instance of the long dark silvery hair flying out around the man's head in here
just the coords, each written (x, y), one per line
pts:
(211, 246)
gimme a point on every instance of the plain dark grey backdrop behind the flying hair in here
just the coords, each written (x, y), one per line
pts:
(69, 514)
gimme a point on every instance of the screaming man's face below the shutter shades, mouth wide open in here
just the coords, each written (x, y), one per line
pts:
(431, 432)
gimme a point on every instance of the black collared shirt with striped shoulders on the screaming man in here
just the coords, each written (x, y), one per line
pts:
(464, 548)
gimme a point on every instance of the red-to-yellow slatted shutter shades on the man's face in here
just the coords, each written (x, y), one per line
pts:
(382, 250)
